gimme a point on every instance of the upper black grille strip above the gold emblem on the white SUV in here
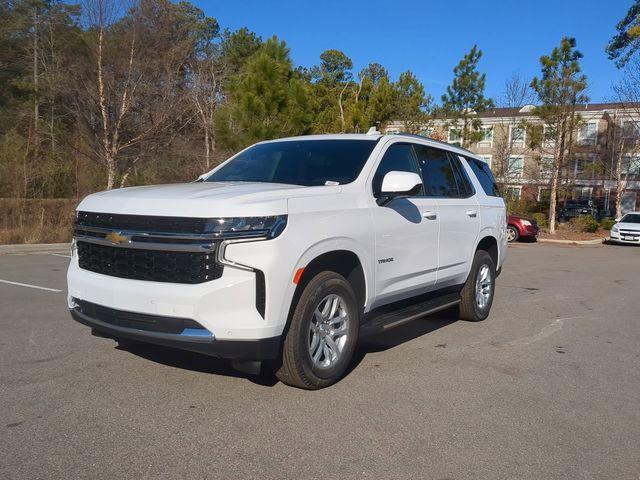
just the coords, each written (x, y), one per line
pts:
(142, 223)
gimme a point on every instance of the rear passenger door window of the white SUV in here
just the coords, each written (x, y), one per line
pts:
(437, 172)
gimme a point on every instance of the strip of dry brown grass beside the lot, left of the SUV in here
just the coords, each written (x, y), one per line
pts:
(36, 220)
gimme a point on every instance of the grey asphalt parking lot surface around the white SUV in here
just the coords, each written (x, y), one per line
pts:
(547, 387)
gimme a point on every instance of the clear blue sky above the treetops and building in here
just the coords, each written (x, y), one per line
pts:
(430, 37)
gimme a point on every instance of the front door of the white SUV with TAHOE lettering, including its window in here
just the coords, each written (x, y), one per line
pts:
(406, 234)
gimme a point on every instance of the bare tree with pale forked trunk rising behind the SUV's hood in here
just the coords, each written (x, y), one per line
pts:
(132, 95)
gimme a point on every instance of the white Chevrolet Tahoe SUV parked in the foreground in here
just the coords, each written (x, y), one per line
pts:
(291, 250)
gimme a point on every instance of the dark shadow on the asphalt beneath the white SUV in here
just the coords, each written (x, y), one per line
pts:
(379, 342)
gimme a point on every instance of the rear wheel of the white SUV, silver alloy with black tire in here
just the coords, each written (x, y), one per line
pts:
(476, 296)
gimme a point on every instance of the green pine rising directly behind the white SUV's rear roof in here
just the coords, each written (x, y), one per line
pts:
(465, 98)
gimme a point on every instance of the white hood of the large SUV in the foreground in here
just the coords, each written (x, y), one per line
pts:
(202, 199)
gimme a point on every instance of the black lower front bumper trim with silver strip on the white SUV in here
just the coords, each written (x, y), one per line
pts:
(260, 349)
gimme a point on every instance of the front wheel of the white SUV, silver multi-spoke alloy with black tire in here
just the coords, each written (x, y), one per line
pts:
(322, 335)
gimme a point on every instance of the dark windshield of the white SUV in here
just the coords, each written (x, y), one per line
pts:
(298, 162)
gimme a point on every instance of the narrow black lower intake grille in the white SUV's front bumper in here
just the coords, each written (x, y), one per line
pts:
(139, 321)
